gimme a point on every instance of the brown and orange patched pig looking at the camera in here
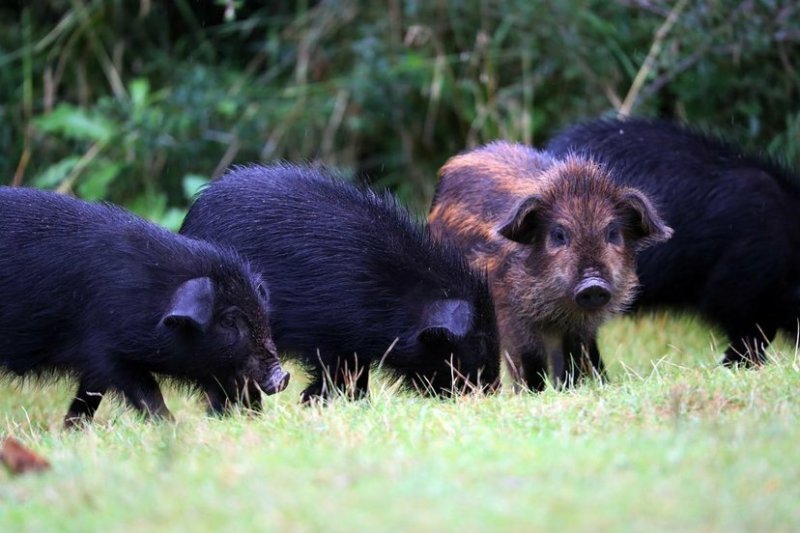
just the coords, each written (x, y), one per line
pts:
(559, 240)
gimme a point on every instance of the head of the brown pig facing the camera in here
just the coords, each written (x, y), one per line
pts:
(581, 235)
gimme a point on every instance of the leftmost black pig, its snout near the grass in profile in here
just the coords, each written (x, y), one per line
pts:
(96, 292)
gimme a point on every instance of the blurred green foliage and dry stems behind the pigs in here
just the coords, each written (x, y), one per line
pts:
(140, 102)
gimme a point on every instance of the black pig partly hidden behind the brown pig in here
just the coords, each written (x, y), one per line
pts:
(735, 256)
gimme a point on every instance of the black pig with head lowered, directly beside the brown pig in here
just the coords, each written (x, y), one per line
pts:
(354, 281)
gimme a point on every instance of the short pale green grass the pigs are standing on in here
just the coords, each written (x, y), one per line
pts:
(672, 442)
